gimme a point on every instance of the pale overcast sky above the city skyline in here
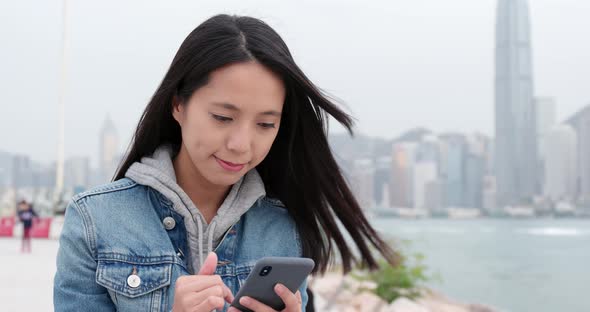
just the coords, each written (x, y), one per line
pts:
(396, 64)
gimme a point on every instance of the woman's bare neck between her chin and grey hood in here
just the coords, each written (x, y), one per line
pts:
(206, 196)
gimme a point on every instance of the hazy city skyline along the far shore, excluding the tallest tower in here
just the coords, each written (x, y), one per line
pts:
(420, 171)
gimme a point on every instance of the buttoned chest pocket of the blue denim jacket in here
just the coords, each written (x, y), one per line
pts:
(136, 283)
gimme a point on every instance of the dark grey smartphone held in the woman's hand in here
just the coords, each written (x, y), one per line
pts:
(268, 271)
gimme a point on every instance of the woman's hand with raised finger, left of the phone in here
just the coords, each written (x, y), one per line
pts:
(203, 292)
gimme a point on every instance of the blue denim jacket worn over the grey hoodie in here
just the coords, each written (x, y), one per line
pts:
(118, 230)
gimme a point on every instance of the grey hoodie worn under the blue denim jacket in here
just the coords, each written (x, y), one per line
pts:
(157, 172)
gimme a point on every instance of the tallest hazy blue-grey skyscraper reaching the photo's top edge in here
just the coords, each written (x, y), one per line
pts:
(516, 144)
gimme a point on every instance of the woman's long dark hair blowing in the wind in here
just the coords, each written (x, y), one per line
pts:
(300, 169)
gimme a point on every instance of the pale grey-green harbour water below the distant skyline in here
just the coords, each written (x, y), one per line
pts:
(513, 265)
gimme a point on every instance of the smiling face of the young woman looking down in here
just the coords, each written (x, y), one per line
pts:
(229, 125)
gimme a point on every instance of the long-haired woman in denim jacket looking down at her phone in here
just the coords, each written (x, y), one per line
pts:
(230, 156)
